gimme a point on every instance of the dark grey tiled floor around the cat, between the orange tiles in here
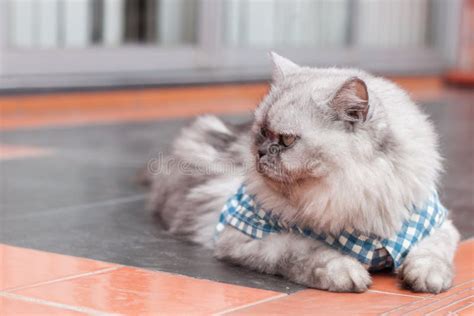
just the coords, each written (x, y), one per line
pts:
(84, 200)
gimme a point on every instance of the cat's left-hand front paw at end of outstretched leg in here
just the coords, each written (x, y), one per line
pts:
(342, 275)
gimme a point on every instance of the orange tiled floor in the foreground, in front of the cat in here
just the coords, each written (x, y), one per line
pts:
(36, 282)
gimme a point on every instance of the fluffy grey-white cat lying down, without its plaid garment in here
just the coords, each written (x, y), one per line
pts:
(329, 150)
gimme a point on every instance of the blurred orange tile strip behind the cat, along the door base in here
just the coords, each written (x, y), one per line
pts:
(150, 104)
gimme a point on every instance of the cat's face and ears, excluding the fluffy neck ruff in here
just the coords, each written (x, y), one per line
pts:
(313, 122)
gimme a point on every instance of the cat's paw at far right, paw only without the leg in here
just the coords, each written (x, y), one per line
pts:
(426, 273)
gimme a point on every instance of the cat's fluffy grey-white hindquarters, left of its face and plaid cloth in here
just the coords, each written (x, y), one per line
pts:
(190, 192)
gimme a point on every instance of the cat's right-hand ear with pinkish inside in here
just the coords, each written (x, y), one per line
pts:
(351, 101)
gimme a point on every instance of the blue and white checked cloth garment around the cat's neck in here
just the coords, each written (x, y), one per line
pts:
(243, 213)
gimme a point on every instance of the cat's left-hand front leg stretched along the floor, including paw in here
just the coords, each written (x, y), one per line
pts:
(301, 260)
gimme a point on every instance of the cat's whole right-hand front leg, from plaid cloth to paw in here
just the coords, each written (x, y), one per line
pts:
(429, 265)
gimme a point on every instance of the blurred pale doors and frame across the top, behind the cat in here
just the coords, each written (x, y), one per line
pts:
(90, 43)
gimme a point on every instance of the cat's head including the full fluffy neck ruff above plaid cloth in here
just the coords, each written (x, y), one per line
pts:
(341, 148)
